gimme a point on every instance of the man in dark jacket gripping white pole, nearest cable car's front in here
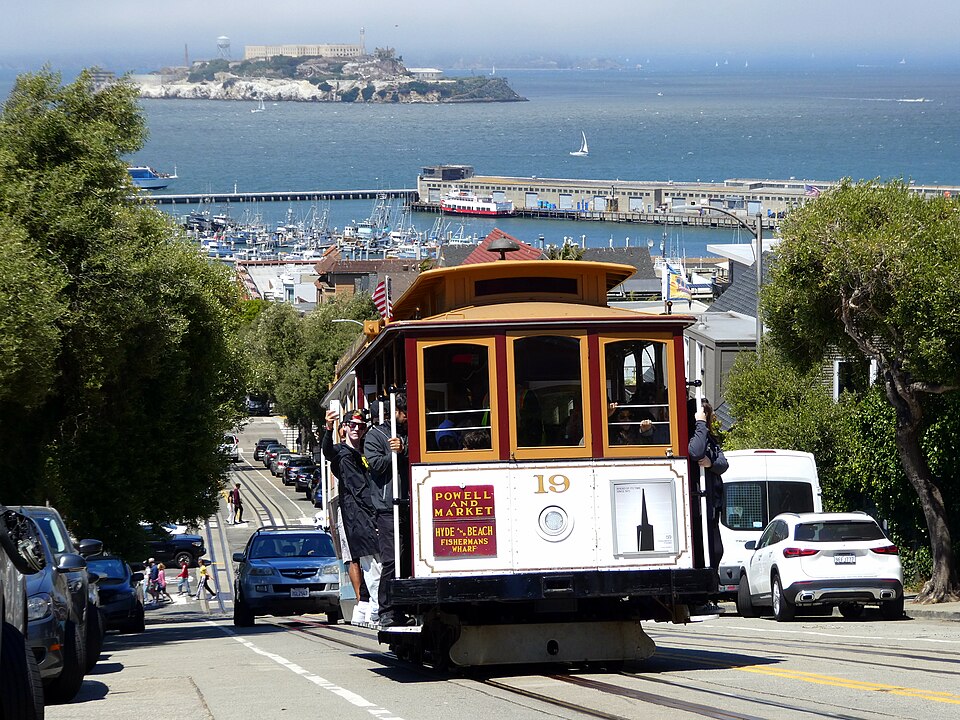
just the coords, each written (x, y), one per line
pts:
(380, 444)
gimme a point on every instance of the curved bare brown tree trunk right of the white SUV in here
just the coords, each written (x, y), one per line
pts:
(943, 585)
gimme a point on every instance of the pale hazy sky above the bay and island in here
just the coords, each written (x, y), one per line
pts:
(124, 35)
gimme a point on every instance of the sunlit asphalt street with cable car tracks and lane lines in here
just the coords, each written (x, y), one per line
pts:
(191, 663)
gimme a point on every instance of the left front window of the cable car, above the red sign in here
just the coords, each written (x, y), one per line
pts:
(457, 397)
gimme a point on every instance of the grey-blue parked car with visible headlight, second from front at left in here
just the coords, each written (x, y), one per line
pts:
(56, 630)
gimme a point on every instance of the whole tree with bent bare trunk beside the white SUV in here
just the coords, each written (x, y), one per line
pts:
(868, 269)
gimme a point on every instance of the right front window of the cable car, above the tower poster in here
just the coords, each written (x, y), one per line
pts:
(638, 407)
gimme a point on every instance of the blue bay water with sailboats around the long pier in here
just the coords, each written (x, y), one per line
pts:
(709, 125)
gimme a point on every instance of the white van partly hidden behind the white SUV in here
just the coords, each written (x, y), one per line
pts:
(759, 485)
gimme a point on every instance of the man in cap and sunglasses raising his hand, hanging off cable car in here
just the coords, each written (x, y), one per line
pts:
(356, 507)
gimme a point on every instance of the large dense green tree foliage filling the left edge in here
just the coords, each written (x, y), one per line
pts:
(140, 371)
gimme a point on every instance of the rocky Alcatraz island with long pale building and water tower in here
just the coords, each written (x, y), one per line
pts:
(318, 73)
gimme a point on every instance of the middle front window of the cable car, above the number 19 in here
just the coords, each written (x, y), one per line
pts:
(548, 391)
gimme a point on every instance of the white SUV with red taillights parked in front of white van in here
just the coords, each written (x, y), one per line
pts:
(808, 561)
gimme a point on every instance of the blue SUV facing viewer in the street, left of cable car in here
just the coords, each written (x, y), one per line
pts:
(286, 571)
